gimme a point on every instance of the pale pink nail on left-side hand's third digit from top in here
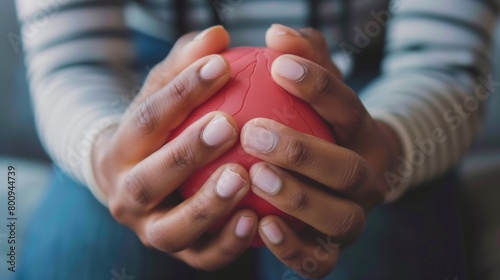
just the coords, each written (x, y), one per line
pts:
(218, 131)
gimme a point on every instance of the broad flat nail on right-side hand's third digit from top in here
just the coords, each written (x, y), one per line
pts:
(259, 138)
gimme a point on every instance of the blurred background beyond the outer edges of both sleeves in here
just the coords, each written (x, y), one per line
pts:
(20, 146)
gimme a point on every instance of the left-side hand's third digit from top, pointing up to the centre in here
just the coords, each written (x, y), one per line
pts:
(156, 177)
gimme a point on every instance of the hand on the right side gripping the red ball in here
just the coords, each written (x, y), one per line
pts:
(343, 181)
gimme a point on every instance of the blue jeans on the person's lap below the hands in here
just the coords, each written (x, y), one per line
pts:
(72, 236)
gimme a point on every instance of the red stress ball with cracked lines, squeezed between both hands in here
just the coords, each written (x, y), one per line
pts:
(250, 93)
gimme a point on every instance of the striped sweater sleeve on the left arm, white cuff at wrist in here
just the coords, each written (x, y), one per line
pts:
(80, 67)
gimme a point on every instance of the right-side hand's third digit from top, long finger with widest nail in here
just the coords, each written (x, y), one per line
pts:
(335, 167)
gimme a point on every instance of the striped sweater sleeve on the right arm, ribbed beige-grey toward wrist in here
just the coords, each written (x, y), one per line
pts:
(435, 82)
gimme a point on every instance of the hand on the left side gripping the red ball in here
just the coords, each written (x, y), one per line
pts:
(139, 173)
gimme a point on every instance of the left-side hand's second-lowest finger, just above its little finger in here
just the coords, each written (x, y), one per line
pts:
(179, 227)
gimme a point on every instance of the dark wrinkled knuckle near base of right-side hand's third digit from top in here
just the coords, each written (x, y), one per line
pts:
(355, 171)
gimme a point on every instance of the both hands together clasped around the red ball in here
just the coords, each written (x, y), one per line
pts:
(139, 173)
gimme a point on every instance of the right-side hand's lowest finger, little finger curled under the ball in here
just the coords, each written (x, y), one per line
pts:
(307, 258)
